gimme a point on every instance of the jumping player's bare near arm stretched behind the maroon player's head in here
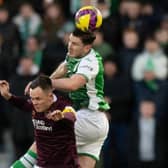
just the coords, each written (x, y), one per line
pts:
(73, 83)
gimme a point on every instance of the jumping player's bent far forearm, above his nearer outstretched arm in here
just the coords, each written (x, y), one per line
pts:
(60, 71)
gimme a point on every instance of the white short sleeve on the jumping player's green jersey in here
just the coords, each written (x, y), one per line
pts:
(88, 68)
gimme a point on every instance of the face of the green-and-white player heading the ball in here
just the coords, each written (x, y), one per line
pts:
(75, 47)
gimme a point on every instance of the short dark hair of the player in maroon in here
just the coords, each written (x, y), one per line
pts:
(42, 81)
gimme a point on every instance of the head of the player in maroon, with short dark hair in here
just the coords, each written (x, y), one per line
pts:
(41, 93)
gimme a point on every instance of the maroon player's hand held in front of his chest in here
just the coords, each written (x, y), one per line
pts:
(55, 115)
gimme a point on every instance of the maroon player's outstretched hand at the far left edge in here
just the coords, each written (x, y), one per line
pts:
(4, 89)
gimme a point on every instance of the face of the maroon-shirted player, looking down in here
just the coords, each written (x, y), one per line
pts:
(41, 100)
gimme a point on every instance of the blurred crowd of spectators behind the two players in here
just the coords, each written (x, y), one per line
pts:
(133, 42)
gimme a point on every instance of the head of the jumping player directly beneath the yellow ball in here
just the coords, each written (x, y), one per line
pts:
(80, 43)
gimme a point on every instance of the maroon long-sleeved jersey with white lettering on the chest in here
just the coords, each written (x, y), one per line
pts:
(55, 140)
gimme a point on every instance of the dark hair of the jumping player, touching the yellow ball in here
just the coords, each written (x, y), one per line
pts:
(86, 37)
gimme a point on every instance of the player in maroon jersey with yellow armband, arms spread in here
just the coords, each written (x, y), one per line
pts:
(54, 132)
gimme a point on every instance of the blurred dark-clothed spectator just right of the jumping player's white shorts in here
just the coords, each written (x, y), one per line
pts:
(118, 94)
